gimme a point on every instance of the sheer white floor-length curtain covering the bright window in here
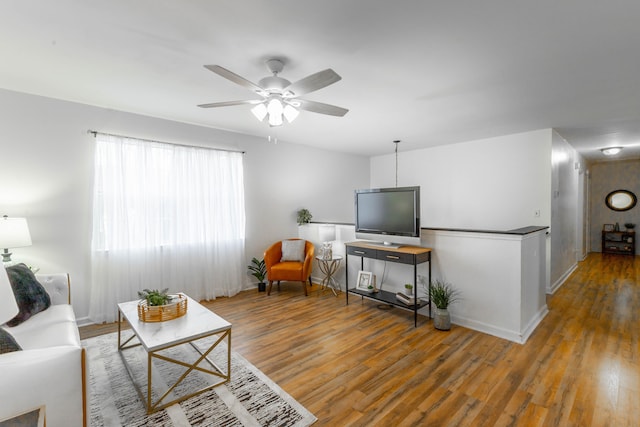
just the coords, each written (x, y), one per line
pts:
(164, 216)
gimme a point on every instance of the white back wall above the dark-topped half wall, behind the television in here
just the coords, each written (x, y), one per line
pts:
(495, 183)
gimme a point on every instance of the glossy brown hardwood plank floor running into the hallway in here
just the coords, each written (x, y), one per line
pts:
(358, 365)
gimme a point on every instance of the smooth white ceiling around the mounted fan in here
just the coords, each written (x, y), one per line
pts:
(425, 72)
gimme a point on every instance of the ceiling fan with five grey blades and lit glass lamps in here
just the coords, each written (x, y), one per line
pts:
(280, 98)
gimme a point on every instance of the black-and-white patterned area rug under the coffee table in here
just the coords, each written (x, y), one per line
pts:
(249, 399)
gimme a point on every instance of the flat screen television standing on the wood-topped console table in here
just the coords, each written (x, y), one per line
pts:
(390, 215)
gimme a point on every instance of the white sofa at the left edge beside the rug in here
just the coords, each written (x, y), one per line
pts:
(50, 370)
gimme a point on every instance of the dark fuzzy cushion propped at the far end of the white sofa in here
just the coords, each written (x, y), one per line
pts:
(30, 295)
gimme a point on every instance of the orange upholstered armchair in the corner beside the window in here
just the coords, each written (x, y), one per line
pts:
(289, 270)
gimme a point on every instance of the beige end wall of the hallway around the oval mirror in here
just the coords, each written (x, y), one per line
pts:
(606, 177)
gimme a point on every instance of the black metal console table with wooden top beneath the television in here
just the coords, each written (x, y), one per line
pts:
(412, 255)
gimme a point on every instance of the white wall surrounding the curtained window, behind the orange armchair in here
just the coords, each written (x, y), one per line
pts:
(46, 171)
